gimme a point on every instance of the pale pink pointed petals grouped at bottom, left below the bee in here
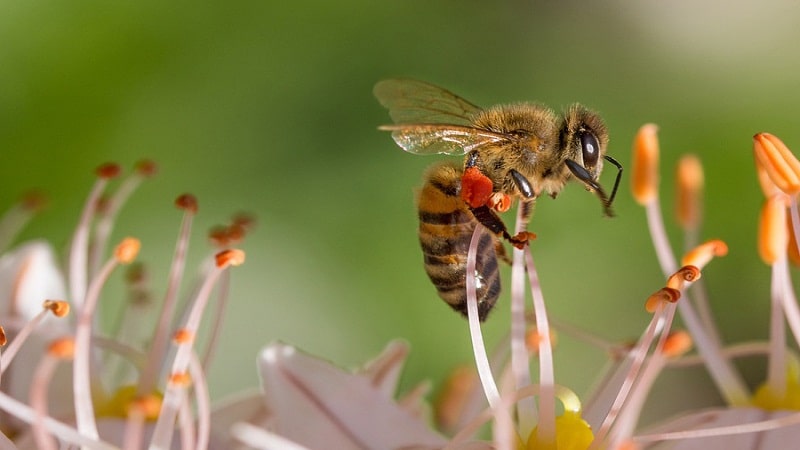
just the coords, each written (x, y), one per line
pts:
(345, 410)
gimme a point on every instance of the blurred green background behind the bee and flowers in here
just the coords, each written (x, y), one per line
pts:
(267, 107)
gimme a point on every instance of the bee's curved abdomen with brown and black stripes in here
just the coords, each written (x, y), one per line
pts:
(446, 226)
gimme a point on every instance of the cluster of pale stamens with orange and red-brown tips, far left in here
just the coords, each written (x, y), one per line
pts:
(142, 402)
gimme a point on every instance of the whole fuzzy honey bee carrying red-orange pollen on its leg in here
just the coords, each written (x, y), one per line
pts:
(516, 151)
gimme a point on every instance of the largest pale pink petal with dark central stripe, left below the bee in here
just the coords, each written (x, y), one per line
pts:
(320, 406)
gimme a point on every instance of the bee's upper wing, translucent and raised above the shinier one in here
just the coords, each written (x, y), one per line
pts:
(412, 101)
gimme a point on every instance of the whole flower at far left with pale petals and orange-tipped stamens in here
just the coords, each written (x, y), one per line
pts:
(47, 403)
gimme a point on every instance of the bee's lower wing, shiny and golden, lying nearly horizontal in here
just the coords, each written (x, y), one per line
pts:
(428, 139)
